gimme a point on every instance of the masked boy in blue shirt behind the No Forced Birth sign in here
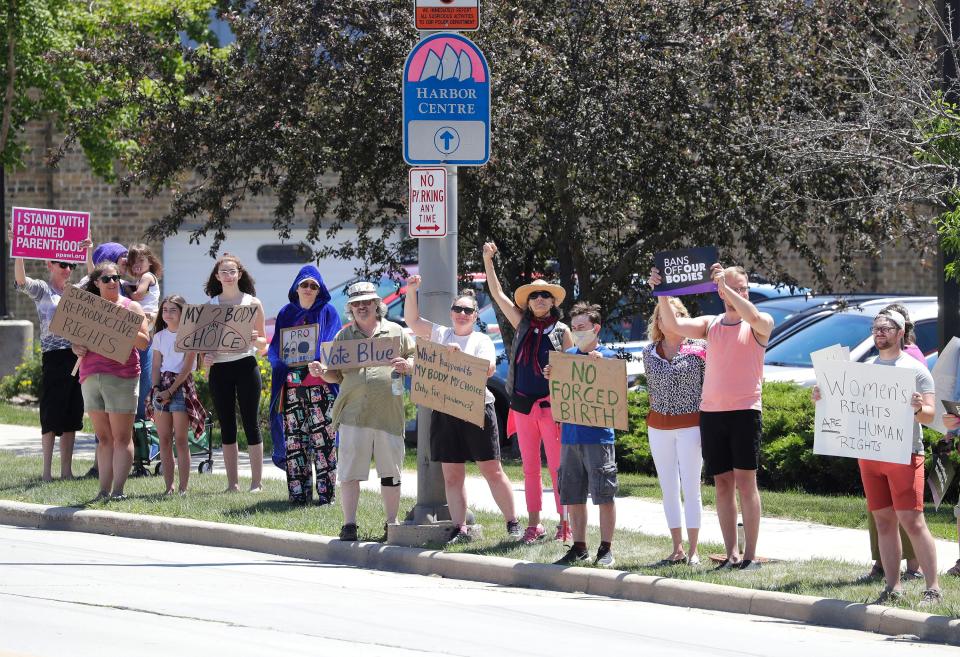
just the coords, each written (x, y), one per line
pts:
(587, 460)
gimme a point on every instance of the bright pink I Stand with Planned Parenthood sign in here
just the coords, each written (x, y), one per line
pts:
(41, 234)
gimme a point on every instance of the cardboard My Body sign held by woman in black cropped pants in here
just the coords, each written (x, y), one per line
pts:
(213, 328)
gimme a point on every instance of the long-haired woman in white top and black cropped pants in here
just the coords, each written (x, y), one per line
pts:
(235, 377)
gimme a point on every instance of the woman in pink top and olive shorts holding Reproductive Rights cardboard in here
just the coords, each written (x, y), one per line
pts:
(110, 390)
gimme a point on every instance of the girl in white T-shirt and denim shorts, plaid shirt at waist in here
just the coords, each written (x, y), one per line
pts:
(173, 403)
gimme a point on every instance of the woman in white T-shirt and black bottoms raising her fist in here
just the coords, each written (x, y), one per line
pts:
(453, 441)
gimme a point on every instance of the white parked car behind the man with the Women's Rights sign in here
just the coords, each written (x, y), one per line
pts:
(789, 358)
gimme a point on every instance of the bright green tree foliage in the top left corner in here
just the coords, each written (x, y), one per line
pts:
(43, 77)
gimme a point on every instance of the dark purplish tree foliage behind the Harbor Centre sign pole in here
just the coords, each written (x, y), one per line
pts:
(620, 128)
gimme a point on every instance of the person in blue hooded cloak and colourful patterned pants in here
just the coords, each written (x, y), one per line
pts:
(301, 404)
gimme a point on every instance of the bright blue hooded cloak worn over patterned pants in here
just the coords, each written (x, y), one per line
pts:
(292, 314)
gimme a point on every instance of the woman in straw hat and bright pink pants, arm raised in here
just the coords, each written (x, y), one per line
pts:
(535, 314)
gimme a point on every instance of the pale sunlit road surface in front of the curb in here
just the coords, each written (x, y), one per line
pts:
(66, 593)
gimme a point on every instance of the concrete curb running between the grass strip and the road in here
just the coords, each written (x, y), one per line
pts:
(492, 570)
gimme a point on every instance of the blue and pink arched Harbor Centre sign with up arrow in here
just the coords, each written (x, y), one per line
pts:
(446, 102)
